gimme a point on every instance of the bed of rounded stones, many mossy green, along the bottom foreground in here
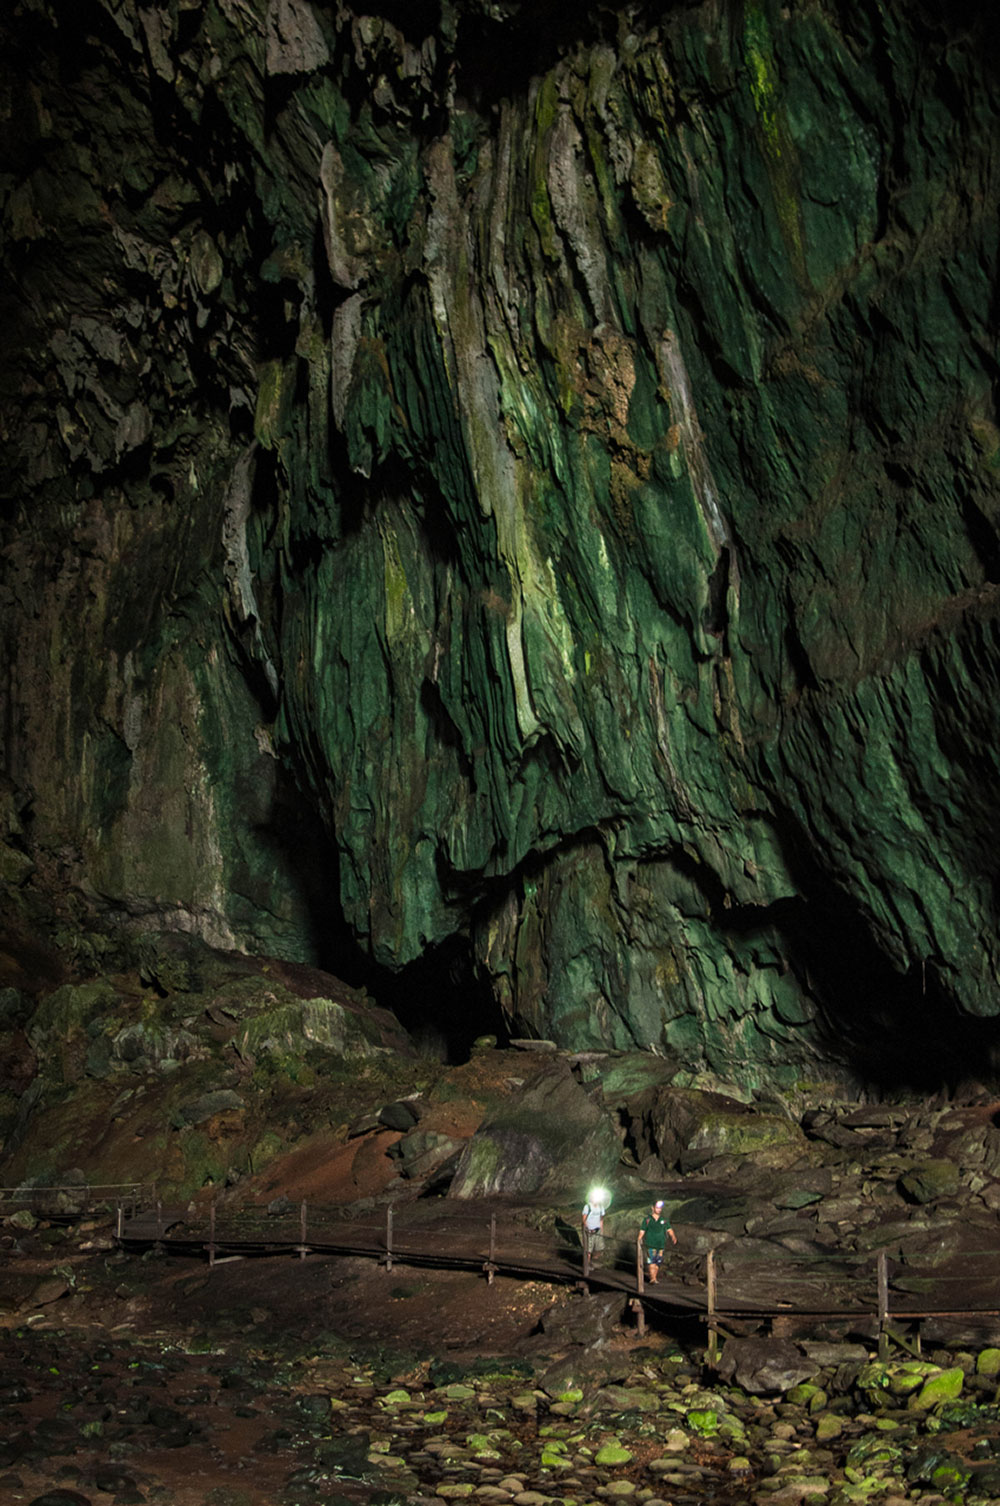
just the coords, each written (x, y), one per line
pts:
(471, 1442)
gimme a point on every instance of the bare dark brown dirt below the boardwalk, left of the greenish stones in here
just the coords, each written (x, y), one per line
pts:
(160, 1380)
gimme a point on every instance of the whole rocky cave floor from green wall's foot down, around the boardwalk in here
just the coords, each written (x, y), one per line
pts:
(133, 1377)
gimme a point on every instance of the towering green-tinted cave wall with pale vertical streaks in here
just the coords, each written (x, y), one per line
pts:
(519, 472)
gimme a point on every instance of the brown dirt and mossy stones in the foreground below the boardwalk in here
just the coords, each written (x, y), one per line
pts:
(278, 1382)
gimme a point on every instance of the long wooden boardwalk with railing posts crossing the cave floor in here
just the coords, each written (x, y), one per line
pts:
(722, 1290)
